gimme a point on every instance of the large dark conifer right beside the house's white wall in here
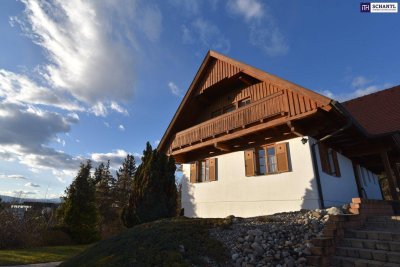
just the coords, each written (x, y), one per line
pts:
(154, 192)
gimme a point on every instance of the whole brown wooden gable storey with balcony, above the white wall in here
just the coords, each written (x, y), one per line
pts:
(214, 108)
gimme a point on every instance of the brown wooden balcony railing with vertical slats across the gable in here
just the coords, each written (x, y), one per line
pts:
(257, 112)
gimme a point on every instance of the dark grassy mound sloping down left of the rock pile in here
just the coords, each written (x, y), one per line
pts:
(157, 244)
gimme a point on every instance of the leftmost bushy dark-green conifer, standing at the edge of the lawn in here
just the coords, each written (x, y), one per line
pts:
(80, 211)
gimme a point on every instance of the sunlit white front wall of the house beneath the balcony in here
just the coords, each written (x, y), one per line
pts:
(236, 194)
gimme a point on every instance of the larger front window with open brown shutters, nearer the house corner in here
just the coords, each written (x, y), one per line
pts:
(270, 159)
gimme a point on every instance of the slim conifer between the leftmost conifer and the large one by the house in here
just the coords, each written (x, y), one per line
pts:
(123, 186)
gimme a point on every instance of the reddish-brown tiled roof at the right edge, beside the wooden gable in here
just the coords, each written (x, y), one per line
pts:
(378, 113)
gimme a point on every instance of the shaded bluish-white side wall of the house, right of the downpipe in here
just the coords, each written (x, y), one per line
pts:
(338, 190)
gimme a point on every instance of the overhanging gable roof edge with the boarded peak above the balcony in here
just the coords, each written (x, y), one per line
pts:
(210, 73)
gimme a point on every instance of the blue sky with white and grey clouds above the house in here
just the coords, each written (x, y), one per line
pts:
(98, 79)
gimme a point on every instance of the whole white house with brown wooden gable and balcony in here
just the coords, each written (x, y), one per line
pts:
(251, 143)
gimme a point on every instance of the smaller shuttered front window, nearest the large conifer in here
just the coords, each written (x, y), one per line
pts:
(203, 170)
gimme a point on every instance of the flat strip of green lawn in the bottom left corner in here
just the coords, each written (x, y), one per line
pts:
(38, 255)
